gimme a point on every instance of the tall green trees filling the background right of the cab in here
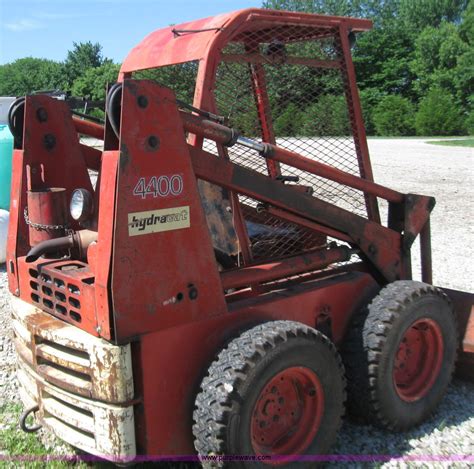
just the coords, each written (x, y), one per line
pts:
(415, 68)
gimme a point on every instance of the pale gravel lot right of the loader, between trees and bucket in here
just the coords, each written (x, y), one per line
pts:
(447, 173)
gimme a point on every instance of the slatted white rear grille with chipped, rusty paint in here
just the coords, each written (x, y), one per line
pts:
(96, 425)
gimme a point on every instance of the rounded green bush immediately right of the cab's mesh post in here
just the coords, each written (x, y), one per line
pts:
(394, 116)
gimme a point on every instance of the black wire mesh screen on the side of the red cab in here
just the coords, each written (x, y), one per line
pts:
(285, 85)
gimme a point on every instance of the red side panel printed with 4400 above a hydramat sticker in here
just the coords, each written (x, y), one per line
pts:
(163, 272)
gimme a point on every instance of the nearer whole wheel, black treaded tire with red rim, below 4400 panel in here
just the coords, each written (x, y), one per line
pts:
(228, 415)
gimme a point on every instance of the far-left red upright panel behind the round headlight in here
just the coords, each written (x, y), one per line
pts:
(51, 157)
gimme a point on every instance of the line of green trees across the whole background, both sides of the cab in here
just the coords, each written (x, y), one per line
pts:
(415, 71)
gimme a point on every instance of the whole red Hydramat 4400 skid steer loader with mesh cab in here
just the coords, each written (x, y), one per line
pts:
(214, 290)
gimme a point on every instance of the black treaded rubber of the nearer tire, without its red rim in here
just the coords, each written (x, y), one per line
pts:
(236, 380)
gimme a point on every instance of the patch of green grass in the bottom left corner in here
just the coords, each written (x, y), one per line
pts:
(14, 443)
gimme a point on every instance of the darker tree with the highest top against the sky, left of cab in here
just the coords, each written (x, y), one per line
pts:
(82, 57)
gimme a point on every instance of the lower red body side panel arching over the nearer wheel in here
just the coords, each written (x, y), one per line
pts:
(174, 361)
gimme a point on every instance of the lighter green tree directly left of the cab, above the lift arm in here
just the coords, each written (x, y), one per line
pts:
(93, 82)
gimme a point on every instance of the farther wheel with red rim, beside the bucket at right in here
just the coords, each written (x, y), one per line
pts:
(399, 355)
